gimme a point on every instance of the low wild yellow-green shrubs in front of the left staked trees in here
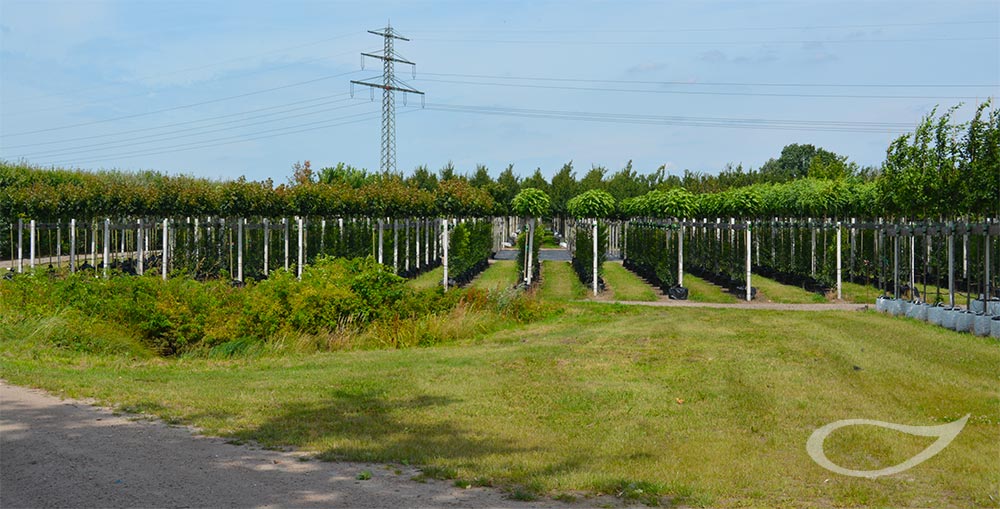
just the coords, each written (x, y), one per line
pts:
(181, 315)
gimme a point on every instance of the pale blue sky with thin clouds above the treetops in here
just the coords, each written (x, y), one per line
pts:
(222, 89)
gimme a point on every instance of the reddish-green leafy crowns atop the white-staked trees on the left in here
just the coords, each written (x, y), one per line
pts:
(49, 194)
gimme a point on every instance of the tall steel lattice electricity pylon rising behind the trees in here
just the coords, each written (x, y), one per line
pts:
(389, 85)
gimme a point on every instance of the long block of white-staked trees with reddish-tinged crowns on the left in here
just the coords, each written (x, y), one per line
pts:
(146, 222)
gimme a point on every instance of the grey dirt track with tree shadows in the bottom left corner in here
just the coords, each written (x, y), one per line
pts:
(68, 453)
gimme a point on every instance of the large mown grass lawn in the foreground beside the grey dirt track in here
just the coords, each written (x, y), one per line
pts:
(687, 406)
